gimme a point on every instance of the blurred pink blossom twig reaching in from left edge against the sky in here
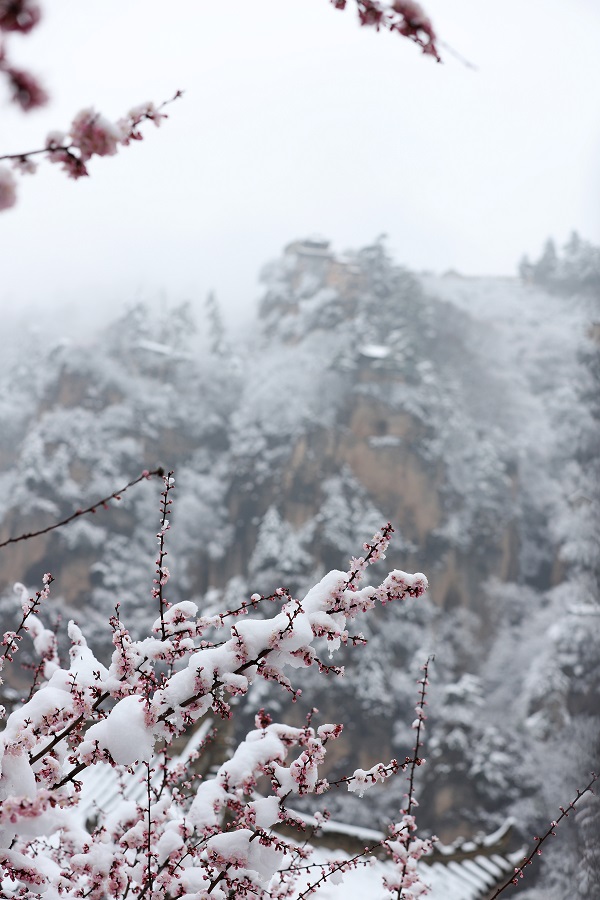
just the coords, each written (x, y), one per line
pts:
(90, 134)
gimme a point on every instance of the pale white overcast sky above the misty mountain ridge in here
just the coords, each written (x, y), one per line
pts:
(297, 121)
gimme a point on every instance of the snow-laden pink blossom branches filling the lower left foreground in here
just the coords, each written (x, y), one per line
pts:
(181, 835)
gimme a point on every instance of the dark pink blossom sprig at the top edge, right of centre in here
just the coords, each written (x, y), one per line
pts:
(404, 17)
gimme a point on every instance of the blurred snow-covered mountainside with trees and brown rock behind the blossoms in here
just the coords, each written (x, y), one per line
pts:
(463, 410)
